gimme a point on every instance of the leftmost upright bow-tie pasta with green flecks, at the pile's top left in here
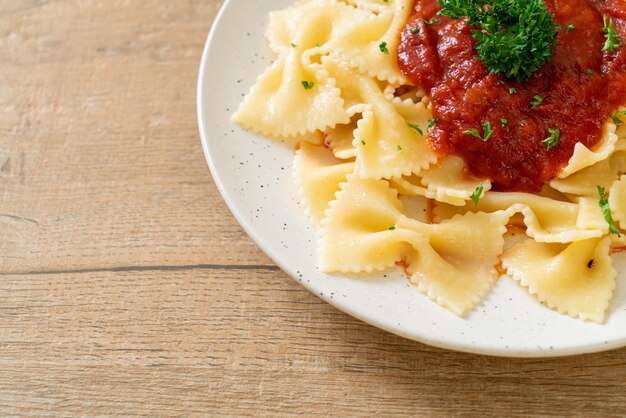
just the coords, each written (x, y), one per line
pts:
(296, 95)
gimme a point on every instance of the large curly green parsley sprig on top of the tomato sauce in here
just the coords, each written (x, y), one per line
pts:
(514, 37)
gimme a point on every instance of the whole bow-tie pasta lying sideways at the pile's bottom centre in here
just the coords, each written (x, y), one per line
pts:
(453, 263)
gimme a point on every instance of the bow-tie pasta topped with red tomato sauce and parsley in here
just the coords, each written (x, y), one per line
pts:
(462, 140)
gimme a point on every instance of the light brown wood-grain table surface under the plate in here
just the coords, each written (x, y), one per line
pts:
(126, 287)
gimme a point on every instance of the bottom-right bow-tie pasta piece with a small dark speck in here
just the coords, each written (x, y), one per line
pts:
(576, 279)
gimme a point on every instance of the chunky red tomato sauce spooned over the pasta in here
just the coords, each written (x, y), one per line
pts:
(580, 87)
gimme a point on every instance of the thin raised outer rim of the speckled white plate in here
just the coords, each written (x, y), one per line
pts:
(589, 348)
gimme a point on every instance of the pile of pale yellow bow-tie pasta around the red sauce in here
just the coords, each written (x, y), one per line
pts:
(336, 86)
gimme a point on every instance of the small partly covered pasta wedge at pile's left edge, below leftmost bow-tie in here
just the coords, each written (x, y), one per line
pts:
(318, 174)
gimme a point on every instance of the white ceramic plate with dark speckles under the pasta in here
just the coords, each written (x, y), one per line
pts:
(254, 175)
